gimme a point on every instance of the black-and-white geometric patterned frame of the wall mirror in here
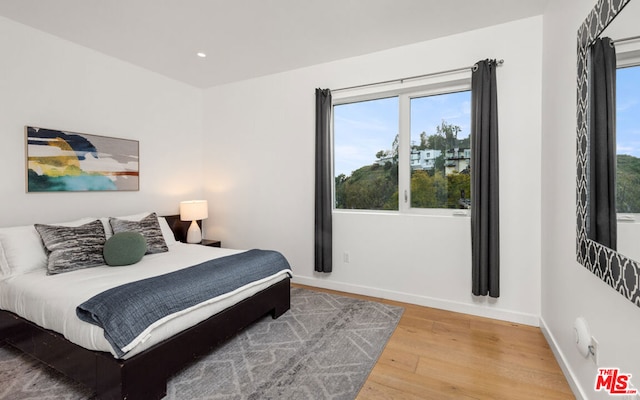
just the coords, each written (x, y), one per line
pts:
(618, 271)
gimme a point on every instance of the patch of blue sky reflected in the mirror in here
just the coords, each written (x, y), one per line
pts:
(628, 111)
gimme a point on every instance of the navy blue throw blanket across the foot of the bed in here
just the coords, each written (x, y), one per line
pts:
(124, 312)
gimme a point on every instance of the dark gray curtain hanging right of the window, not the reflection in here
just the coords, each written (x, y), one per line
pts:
(485, 206)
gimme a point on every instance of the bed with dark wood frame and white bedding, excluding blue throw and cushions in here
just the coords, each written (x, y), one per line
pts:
(49, 332)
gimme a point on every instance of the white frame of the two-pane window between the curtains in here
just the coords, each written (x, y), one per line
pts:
(405, 91)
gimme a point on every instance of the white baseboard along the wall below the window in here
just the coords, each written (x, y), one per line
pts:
(478, 310)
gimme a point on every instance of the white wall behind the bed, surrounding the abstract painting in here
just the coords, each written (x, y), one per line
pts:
(52, 83)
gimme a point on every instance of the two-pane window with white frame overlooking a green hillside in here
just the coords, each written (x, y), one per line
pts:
(404, 151)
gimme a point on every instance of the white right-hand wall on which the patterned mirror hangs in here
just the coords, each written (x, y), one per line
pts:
(568, 289)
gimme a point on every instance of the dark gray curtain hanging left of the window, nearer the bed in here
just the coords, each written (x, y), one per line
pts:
(323, 222)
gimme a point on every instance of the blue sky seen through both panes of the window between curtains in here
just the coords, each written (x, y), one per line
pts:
(364, 128)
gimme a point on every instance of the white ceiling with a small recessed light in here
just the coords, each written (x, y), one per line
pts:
(250, 38)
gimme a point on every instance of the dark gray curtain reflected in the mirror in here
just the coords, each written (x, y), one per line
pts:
(602, 141)
